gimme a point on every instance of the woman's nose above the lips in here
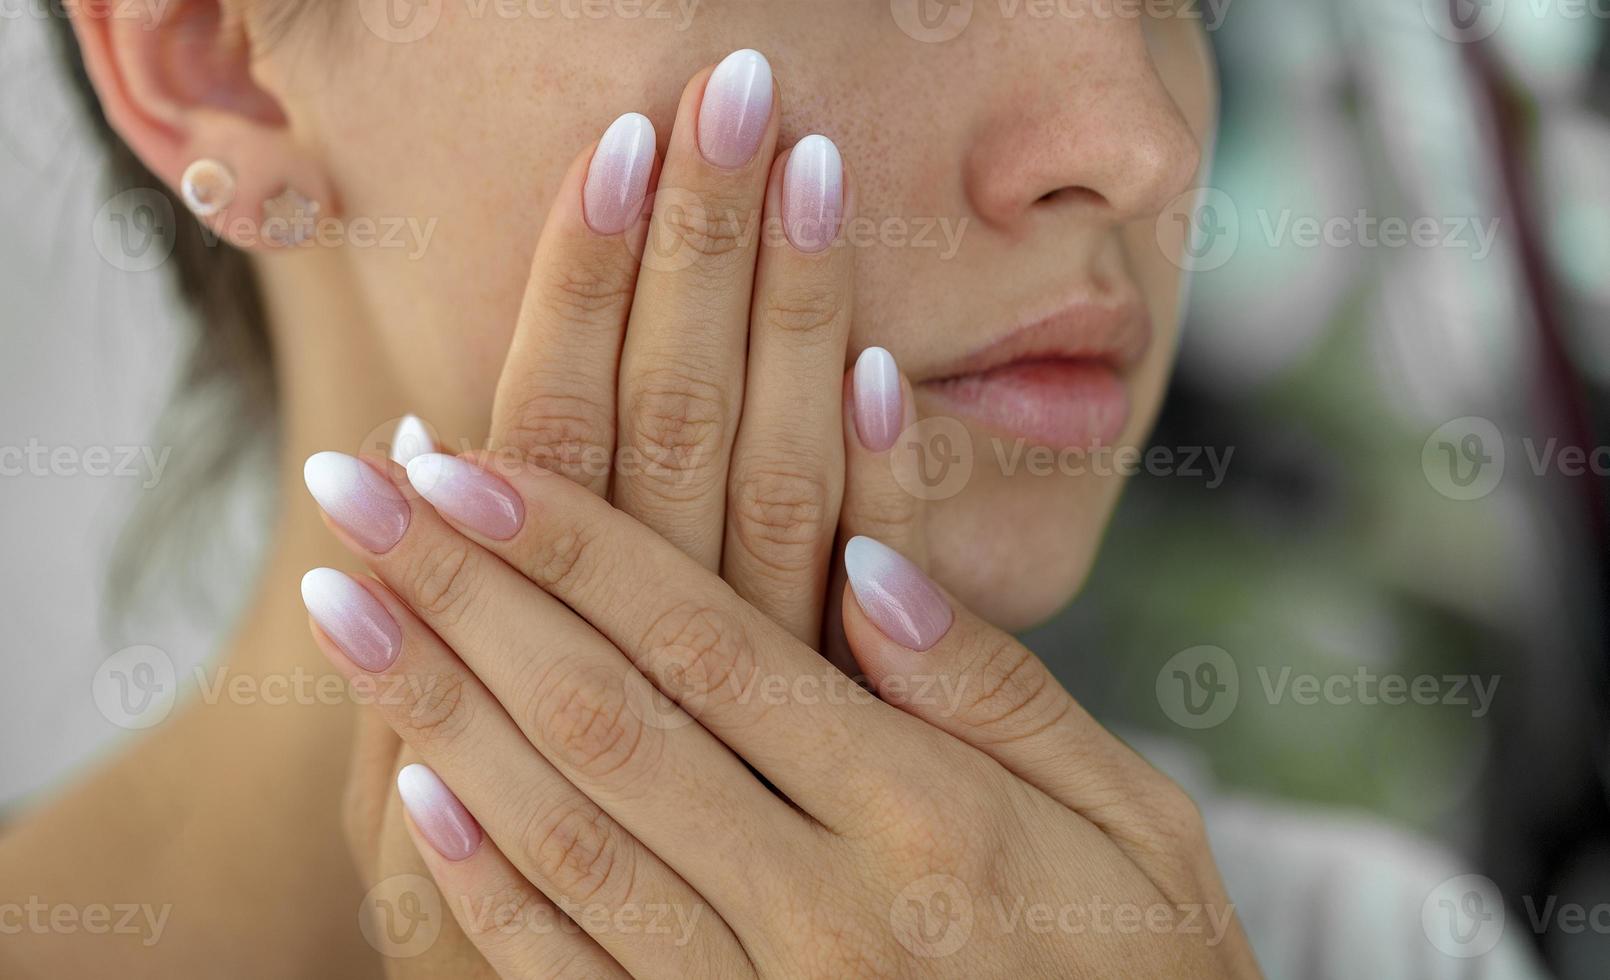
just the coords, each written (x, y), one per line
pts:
(1105, 131)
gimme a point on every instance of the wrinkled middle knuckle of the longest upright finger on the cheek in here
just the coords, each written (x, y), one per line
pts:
(679, 426)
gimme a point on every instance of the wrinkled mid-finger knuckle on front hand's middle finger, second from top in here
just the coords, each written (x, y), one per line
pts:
(592, 725)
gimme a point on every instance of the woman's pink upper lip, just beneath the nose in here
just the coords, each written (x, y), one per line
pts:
(1115, 331)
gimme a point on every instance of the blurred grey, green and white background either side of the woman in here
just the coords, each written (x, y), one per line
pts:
(1363, 593)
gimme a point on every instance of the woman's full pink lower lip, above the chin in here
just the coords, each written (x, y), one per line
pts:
(1062, 405)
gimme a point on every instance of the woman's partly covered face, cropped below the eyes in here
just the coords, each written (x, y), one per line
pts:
(1012, 160)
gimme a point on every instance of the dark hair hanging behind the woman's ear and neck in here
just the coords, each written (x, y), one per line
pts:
(226, 390)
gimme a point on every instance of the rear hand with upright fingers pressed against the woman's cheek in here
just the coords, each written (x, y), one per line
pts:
(611, 300)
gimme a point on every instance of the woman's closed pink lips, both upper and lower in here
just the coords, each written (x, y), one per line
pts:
(1059, 381)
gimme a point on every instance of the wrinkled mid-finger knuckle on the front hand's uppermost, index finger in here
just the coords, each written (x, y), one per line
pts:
(698, 654)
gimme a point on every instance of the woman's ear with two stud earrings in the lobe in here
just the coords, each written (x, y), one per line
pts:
(175, 81)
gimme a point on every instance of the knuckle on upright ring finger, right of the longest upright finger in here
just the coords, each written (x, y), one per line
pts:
(780, 516)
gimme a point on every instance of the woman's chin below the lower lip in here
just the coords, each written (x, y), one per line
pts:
(1018, 550)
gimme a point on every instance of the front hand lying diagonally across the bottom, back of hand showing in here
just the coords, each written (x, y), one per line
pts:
(920, 836)
